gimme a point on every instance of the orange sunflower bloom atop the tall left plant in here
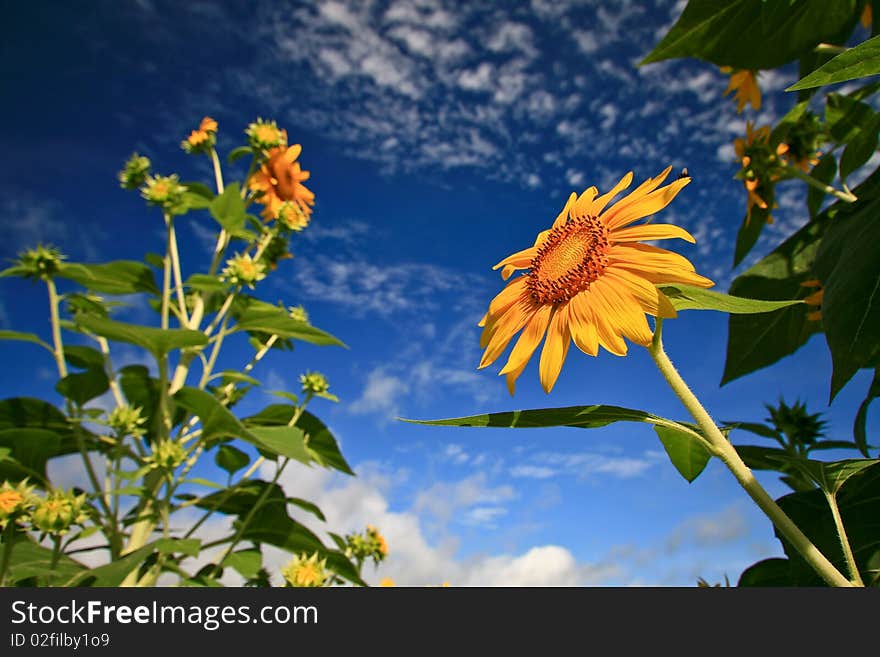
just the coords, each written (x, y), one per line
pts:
(279, 180)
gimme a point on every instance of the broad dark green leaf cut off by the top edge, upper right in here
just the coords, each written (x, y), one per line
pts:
(754, 34)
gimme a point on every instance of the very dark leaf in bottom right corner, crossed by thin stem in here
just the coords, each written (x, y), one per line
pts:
(859, 504)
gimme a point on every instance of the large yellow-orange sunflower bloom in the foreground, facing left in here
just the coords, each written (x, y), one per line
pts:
(588, 280)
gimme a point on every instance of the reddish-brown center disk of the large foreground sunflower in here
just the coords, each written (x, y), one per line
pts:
(572, 257)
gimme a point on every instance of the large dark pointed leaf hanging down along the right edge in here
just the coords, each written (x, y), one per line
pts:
(848, 264)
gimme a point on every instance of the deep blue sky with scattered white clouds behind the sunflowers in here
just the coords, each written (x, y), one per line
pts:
(441, 137)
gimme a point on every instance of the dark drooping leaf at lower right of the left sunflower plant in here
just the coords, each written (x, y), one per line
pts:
(272, 524)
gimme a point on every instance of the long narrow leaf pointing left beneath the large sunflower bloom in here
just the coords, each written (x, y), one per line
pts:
(585, 417)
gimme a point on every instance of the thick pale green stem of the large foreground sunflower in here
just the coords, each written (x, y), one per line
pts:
(729, 456)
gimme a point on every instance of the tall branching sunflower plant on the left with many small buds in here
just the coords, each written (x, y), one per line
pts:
(174, 486)
